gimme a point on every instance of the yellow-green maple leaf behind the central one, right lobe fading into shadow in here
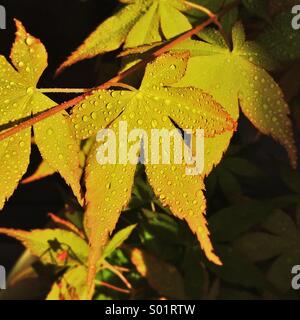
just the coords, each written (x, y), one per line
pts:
(237, 78)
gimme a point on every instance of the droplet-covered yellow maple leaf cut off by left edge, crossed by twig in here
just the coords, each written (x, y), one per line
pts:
(20, 99)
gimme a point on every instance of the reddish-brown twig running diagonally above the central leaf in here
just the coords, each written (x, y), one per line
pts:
(48, 113)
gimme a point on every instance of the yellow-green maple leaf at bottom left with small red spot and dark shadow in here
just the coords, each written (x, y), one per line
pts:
(69, 250)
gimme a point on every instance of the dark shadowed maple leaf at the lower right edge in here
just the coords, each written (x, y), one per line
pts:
(278, 240)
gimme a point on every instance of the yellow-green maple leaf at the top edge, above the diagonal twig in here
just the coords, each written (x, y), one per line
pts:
(139, 22)
